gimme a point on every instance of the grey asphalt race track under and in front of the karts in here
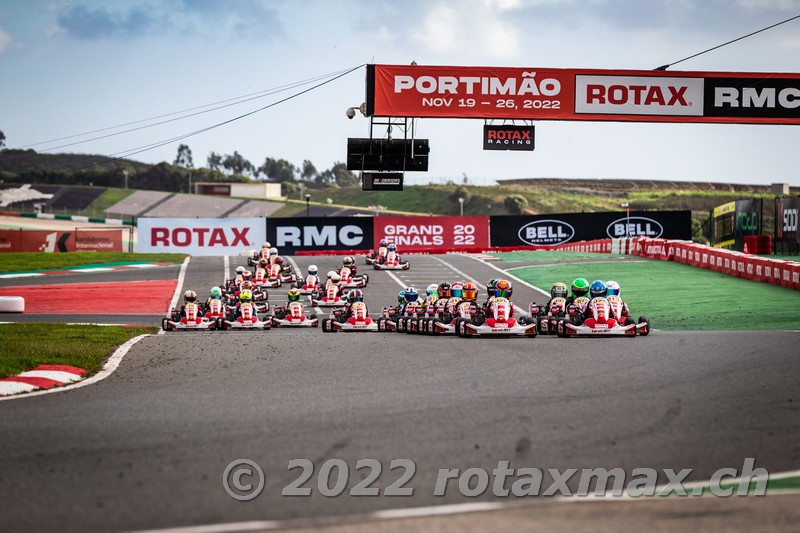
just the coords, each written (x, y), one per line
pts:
(146, 448)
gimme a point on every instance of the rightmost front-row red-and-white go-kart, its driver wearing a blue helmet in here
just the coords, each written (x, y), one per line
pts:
(605, 320)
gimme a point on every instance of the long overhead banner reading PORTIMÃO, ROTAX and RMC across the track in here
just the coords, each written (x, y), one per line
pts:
(583, 94)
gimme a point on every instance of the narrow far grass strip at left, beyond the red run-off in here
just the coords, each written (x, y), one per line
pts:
(24, 261)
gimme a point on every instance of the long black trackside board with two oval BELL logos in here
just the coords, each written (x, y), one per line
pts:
(552, 230)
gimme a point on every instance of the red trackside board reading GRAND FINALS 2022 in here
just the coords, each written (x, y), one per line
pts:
(430, 233)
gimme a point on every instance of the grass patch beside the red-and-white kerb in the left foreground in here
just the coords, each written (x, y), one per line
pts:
(24, 346)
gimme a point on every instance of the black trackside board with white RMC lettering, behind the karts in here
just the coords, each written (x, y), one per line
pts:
(291, 235)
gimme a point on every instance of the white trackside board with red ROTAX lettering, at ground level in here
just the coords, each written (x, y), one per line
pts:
(201, 236)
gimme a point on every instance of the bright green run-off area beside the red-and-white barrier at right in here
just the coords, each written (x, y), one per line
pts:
(682, 297)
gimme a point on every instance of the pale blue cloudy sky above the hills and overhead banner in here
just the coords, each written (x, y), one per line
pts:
(72, 67)
